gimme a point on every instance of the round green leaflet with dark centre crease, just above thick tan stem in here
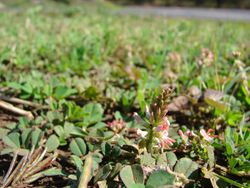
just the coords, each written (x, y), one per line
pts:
(78, 146)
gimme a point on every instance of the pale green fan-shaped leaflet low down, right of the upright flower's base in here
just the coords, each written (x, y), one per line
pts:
(186, 166)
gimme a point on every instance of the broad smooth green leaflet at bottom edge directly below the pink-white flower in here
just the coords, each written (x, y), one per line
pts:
(160, 178)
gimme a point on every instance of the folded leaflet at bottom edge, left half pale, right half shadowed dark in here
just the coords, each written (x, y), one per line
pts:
(131, 175)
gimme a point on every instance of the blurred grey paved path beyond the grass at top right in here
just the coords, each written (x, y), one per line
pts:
(197, 13)
